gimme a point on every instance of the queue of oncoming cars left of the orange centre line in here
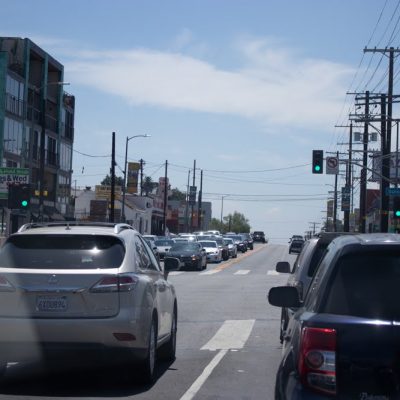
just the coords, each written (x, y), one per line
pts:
(195, 250)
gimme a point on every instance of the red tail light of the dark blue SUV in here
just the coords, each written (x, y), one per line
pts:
(317, 361)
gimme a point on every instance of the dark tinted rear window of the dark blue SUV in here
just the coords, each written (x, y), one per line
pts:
(366, 285)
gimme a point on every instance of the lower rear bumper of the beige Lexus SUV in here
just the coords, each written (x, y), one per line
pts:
(35, 339)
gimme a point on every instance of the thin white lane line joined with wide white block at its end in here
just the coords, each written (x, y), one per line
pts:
(232, 335)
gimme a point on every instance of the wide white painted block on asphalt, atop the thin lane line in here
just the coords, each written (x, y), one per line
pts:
(233, 334)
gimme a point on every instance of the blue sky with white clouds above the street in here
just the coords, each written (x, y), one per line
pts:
(247, 88)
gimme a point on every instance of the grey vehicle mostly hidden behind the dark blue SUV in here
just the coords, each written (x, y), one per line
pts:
(303, 270)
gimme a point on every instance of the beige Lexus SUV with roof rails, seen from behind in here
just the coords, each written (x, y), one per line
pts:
(94, 289)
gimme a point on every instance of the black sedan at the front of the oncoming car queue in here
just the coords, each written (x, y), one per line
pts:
(190, 254)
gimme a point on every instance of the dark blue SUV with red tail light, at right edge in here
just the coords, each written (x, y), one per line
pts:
(343, 341)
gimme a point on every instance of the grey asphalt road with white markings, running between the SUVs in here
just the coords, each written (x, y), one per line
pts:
(227, 348)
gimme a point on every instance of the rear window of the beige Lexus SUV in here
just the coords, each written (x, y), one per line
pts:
(62, 252)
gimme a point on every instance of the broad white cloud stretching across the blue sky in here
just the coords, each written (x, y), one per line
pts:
(276, 85)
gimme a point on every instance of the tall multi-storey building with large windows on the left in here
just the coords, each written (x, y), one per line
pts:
(36, 130)
